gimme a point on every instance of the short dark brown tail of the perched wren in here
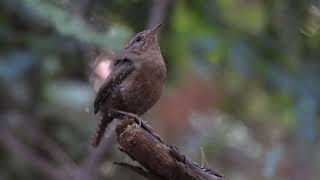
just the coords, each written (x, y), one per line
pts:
(102, 126)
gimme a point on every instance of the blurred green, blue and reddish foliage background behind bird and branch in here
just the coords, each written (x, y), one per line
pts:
(242, 88)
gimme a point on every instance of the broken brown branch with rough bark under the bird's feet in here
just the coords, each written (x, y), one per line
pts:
(159, 160)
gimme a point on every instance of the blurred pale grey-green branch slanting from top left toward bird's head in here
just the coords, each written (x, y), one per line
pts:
(67, 24)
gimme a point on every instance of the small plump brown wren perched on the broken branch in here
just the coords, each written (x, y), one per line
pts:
(135, 82)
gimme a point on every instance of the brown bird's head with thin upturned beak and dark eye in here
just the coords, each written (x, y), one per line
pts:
(144, 41)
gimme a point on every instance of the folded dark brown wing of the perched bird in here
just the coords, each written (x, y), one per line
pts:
(120, 70)
